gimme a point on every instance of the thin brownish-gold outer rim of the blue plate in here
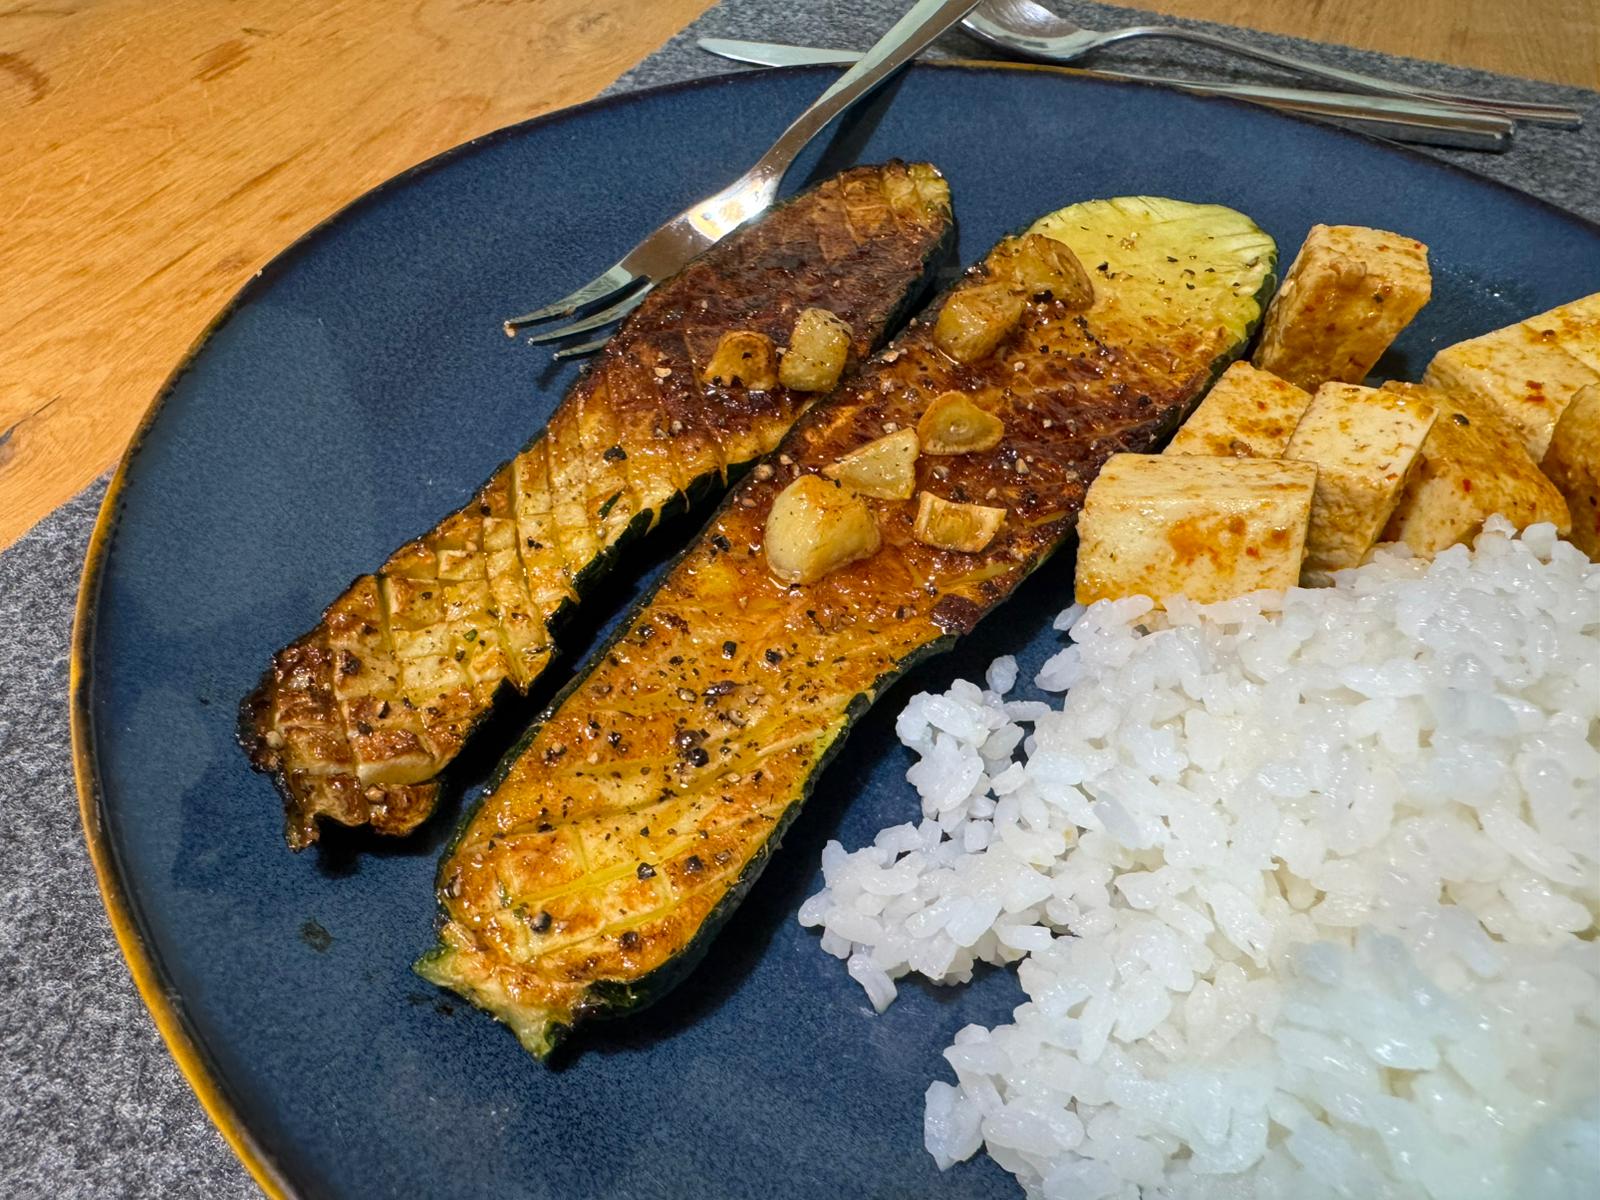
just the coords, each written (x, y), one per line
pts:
(150, 975)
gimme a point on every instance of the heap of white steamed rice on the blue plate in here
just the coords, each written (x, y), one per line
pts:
(1330, 862)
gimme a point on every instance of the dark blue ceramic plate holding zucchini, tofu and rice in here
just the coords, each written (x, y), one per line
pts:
(359, 390)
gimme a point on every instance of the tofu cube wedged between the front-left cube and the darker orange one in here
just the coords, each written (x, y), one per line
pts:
(1364, 444)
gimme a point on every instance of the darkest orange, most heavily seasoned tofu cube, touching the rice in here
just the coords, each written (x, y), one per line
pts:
(1473, 465)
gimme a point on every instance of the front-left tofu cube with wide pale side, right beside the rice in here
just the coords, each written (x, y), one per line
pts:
(1207, 529)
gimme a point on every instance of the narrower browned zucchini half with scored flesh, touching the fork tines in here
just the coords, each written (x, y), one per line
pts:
(358, 718)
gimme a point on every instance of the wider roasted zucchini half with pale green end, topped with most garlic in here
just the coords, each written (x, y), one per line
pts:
(630, 823)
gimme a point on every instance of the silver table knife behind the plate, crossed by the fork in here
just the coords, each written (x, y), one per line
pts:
(1386, 116)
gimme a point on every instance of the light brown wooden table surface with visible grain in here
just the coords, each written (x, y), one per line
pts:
(158, 154)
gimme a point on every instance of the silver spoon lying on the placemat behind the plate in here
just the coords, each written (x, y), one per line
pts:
(1033, 31)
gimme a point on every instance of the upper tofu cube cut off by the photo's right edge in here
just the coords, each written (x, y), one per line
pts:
(1530, 370)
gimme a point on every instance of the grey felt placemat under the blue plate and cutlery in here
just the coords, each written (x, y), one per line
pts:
(90, 1103)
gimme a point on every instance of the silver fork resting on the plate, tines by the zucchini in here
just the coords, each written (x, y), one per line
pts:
(706, 222)
